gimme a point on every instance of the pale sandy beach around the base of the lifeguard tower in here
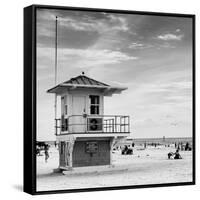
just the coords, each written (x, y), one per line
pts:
(145, 166)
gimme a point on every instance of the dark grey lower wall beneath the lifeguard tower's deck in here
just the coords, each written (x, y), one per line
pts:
(82, 158)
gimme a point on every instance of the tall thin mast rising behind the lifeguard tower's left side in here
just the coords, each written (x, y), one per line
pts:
(56, 62)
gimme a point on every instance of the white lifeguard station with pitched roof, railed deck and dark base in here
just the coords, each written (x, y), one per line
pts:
(84, 133)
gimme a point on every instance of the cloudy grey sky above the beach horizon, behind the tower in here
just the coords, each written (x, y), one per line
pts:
(151, 55)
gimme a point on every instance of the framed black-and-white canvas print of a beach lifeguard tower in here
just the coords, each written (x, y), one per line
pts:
(109, 99)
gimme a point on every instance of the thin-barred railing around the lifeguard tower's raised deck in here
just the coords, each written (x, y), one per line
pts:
(93, 124)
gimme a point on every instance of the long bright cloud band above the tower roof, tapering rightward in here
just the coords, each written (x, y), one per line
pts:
(85, 57)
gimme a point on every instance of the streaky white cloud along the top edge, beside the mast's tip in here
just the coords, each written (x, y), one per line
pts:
(111, 22)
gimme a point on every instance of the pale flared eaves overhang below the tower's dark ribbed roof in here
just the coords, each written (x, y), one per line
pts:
(106, 90)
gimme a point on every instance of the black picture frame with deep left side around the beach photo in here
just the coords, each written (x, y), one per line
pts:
(30, 104)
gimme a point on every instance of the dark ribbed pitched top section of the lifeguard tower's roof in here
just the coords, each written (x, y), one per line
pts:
(84, 80)
